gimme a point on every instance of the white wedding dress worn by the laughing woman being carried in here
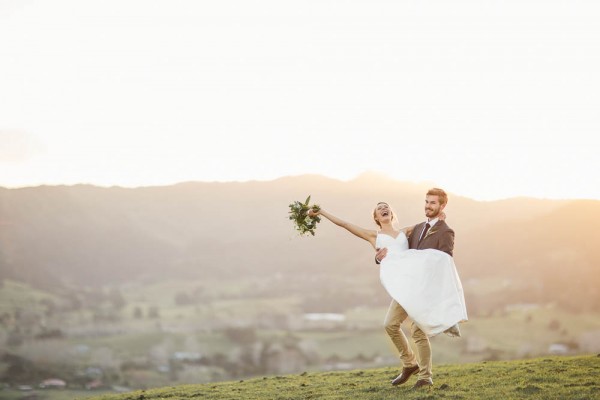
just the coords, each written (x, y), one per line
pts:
(424, 282)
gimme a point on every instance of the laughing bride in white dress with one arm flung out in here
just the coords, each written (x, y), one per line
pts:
(424, 282)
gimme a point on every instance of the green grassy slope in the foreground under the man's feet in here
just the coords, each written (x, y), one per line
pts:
(543, 378)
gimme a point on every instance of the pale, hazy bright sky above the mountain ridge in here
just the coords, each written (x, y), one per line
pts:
(489, 99)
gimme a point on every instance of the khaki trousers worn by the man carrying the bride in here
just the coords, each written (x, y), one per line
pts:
(394, 318)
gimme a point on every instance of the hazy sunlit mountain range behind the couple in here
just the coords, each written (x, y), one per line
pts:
(530, 249)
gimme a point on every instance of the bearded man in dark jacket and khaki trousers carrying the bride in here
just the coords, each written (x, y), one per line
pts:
(430, 234)
